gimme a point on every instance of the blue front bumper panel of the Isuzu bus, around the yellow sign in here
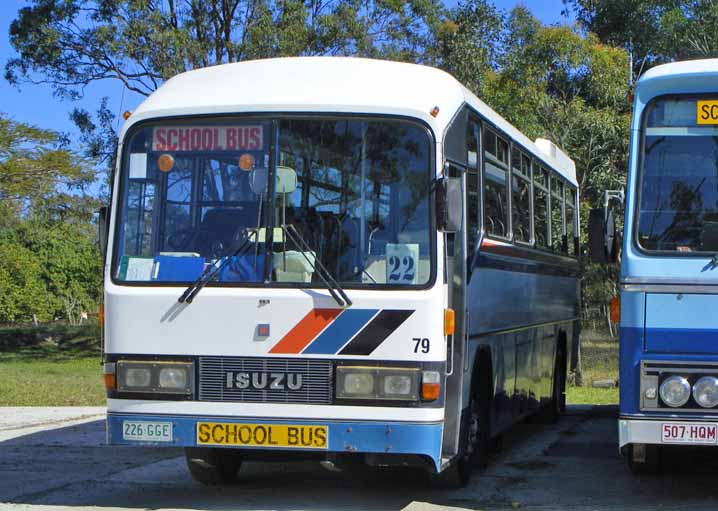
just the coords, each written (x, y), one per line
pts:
(352, 437)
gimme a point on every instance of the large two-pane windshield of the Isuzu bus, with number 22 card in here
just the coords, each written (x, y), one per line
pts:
(355, 190)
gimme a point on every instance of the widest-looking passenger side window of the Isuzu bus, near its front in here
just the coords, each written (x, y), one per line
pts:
(496, 151)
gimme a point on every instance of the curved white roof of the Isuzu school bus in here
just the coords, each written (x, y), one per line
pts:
(331, 84)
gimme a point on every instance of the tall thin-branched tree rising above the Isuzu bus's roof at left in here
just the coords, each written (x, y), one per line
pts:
(72, 43)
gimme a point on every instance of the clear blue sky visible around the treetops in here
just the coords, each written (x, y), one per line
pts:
(35, 103)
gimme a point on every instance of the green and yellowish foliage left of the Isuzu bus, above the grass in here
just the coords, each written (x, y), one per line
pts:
(49, 265)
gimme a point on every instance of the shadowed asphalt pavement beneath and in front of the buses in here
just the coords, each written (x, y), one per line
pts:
(55, 458)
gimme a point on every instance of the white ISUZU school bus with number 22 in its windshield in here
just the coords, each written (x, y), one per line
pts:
(339, 258)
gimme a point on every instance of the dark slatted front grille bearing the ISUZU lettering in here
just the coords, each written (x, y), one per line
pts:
(317, 380)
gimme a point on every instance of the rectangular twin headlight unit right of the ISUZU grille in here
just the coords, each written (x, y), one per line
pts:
(384, 383)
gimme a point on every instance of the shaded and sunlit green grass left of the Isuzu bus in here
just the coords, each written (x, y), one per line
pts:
(54, 365)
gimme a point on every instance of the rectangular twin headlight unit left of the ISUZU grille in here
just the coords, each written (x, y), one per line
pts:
(155, 377)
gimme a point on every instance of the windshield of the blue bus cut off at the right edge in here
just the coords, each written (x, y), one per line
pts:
(678, 209)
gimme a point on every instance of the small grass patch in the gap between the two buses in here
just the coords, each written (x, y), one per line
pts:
(600, 362)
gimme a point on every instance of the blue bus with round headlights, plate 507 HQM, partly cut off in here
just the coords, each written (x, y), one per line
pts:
(669, 266)
